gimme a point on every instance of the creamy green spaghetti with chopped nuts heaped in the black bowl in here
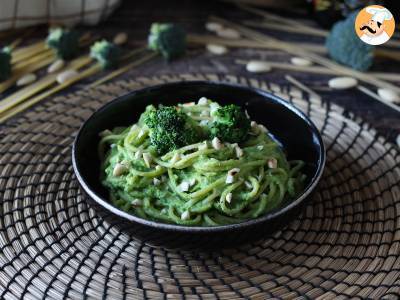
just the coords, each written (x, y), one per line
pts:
(208, 182)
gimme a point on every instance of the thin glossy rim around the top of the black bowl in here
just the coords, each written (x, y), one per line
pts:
(198, 229)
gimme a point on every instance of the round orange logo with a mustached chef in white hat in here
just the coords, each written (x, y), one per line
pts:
(374, 25)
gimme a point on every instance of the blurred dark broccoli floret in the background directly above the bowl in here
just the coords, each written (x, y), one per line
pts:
(167, 39)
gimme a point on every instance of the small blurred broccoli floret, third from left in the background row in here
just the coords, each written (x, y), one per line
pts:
(106, 53)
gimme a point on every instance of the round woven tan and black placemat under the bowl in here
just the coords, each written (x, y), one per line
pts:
(52, 245)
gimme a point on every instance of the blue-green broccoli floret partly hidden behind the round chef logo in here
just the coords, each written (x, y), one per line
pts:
(346, 48)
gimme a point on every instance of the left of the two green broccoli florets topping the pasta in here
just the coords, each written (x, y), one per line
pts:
(170, 129)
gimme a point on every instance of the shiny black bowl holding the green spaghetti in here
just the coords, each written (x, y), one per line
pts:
(297, 134)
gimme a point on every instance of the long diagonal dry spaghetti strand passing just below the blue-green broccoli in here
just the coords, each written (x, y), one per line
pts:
(299, 51)
